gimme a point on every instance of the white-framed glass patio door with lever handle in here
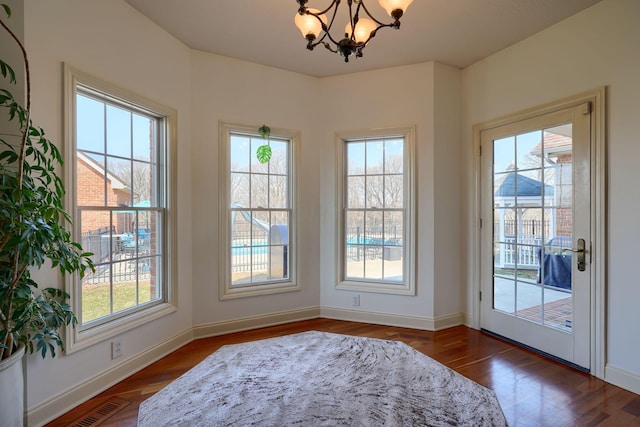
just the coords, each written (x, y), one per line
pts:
(535, 193)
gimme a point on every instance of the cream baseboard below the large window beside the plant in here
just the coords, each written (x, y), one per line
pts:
(69, 399)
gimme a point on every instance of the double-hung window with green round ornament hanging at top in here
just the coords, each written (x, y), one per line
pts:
(257, 213)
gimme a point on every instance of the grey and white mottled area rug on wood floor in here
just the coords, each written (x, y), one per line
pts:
(321, 379)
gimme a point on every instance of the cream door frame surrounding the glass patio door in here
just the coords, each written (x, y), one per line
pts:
(598, 210)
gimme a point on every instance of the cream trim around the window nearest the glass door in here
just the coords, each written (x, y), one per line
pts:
(407, 287)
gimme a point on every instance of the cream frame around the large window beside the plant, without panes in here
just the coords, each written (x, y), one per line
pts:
(83, 336)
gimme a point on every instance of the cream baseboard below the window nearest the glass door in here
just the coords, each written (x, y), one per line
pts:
(413, 322)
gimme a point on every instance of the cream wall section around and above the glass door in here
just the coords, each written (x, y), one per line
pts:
(597, 47)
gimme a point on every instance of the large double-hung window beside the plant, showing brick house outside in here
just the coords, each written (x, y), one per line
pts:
(119, 175)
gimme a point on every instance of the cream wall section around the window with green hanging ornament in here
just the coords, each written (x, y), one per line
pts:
(240, 92)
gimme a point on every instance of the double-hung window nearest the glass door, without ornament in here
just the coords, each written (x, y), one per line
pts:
(376, 216)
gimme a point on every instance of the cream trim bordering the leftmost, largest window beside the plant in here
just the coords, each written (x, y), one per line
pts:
(75, 338)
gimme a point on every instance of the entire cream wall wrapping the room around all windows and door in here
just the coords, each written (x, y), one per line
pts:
(112, 41)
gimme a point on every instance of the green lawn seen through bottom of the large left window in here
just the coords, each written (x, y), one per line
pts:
(96, 298)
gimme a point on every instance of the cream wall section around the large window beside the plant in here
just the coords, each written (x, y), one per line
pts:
(111, 41)
